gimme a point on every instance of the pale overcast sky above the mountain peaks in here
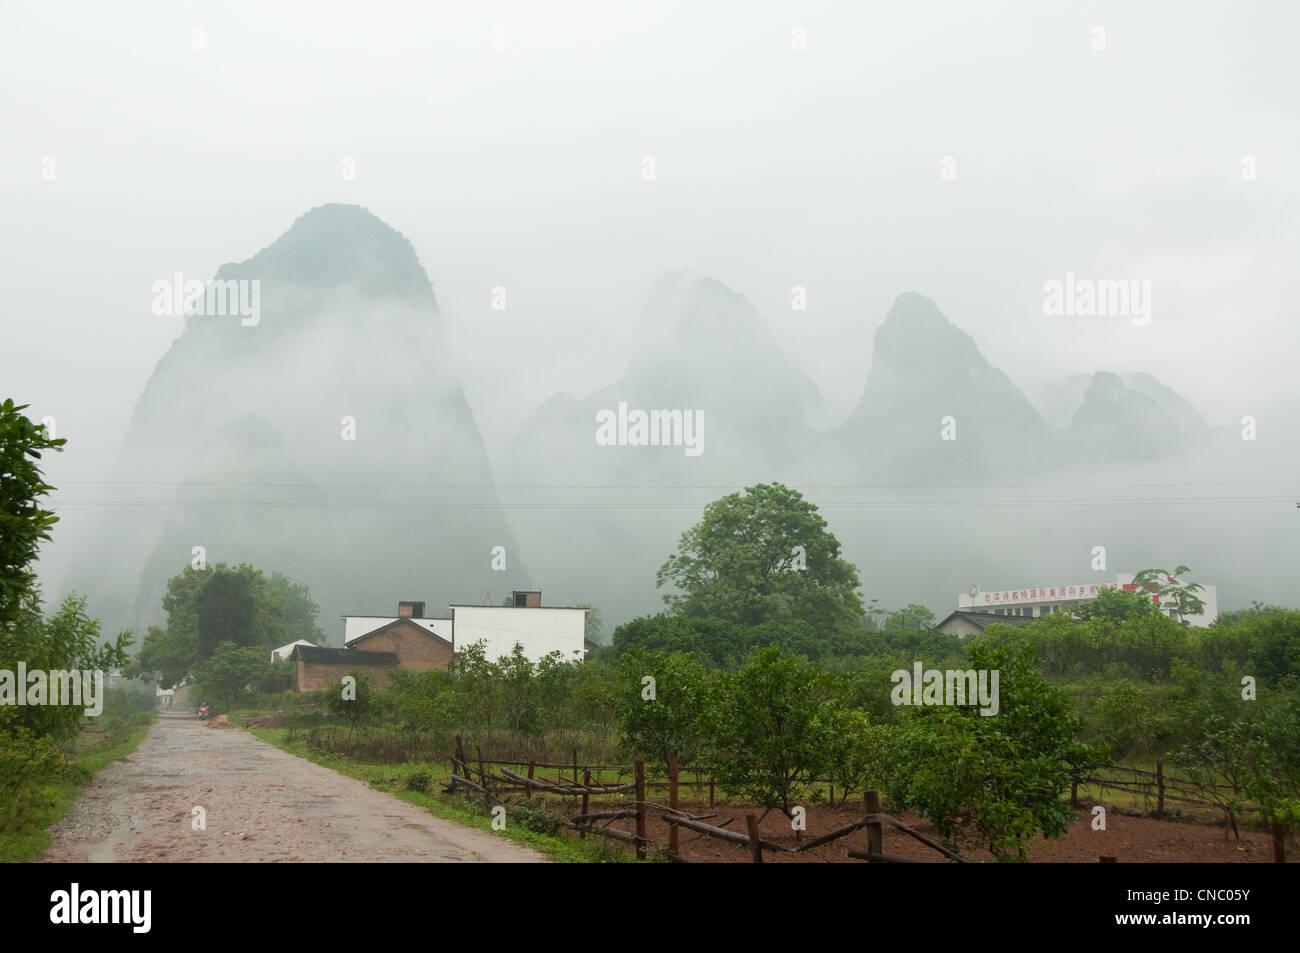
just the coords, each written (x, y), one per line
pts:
(187, 136)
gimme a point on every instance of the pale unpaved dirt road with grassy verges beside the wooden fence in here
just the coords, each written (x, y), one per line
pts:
(261, 805)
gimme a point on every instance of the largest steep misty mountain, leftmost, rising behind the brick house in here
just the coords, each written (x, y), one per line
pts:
(317, 443)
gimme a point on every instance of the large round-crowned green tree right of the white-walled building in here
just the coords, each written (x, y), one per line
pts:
(766, 556)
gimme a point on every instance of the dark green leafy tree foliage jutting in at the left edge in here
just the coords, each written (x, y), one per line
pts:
(24, 525)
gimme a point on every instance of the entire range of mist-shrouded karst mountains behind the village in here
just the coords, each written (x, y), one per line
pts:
(241, 434)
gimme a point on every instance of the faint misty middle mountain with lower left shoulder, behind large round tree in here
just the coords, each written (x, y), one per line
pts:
(604, 517)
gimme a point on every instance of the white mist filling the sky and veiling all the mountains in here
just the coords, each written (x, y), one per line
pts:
(826, 231)
